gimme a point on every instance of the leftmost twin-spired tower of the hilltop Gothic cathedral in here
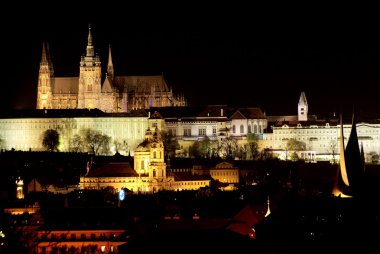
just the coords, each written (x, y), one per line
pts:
(45, 80)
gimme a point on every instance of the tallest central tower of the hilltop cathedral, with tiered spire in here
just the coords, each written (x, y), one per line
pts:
(89, 77)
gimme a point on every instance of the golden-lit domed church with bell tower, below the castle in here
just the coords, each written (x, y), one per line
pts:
(149, 174)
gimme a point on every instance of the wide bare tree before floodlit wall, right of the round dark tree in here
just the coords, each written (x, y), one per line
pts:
(95, 141)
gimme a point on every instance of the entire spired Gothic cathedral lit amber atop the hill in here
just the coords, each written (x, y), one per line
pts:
(116, 94)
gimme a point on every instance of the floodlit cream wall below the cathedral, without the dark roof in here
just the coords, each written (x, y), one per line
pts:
(25, 133)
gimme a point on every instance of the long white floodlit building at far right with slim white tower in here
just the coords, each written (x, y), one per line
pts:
(320, 136)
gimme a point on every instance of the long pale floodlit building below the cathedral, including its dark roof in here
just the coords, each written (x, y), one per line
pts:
(23, 129)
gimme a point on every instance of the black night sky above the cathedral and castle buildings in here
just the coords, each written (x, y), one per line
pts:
(213, 58)
